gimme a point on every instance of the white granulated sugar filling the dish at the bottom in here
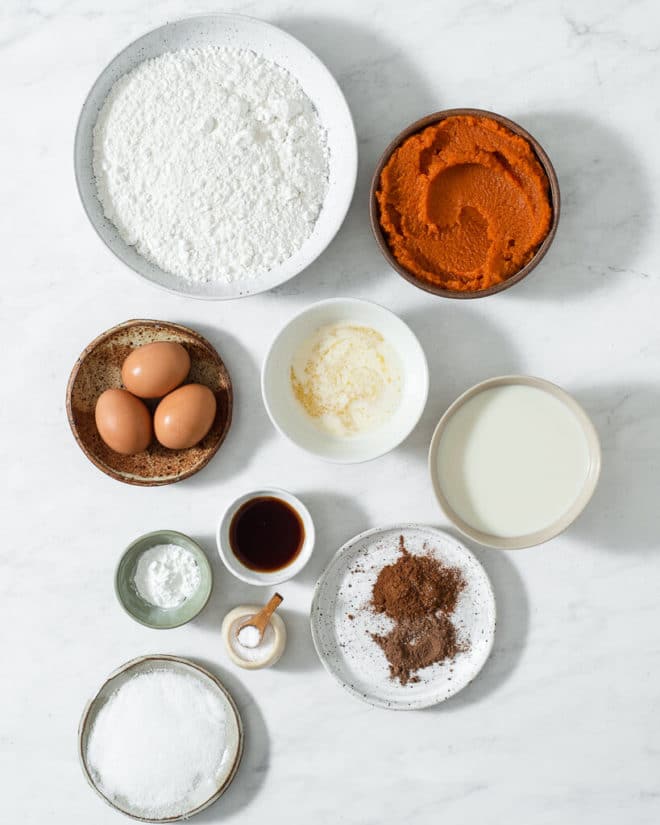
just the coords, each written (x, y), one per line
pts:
(157, 746)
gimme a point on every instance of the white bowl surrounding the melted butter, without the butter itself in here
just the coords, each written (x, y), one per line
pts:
(290, 419)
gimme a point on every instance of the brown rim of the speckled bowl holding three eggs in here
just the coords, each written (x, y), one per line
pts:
(167, 325)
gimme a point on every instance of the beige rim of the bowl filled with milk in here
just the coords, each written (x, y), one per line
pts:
(577, 507)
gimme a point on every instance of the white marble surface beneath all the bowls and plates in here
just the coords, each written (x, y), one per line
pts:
(562, 726)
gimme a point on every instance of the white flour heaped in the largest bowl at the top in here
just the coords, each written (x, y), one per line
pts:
(212, 162)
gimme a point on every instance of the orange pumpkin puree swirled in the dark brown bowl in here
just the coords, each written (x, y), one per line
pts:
(464, 203)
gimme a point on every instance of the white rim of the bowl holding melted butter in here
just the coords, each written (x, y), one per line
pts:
(423, 367)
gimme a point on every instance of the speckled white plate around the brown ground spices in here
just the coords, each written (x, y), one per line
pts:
(345, 646)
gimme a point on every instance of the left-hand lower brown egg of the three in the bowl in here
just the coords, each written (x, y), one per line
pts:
(123, 422)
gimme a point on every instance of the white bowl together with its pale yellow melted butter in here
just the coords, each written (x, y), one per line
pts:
(346, 380)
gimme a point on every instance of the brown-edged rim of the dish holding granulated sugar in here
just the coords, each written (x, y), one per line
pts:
(162, 657)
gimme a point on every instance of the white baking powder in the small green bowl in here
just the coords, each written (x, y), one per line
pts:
(166, 575)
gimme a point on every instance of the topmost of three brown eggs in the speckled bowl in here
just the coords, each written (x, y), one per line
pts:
(155, 369)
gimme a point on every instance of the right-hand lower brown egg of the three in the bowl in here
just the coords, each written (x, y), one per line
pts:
(183, 417)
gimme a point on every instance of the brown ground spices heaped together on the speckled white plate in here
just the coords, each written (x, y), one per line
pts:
(419, 594)
